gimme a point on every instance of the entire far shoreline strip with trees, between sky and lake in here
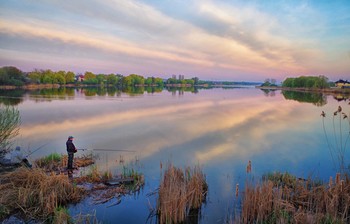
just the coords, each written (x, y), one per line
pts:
(12, 78)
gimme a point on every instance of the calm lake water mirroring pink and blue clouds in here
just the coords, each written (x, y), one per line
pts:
(218, 129)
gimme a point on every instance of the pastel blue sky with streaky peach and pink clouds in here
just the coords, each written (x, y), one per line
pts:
(232, 40)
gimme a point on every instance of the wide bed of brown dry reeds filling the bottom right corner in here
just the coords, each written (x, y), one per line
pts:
(298, 201)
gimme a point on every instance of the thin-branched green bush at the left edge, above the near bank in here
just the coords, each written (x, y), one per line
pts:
(9, 127)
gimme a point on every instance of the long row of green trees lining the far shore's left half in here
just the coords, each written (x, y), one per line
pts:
(10, 75)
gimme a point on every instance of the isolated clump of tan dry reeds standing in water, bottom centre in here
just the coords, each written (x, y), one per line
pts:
(180, 192)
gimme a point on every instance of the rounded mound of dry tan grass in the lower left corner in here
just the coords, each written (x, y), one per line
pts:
(35, 193)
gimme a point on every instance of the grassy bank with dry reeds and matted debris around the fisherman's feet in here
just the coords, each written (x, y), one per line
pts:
(43, 192)
